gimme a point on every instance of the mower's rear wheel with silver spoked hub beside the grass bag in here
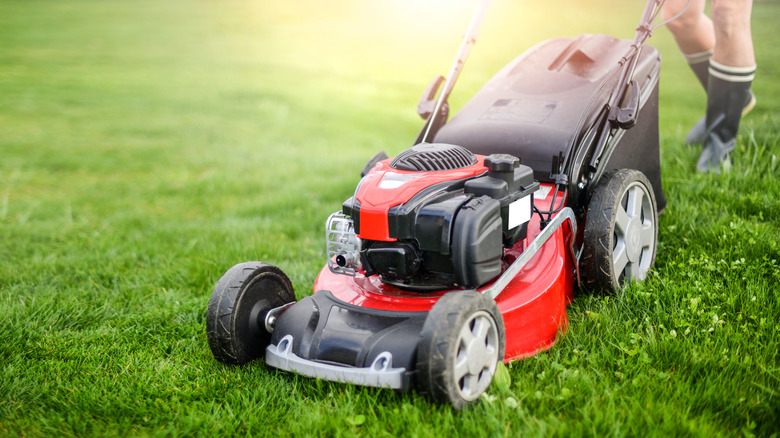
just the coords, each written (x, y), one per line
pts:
(621, 232)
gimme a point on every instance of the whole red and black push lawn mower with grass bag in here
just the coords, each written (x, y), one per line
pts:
(464, 250)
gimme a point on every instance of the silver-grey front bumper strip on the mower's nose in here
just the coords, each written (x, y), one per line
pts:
(380, 374)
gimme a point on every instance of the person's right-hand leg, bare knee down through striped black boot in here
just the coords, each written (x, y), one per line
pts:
(731, 73)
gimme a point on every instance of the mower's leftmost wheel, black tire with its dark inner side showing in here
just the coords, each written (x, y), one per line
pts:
(235, 321)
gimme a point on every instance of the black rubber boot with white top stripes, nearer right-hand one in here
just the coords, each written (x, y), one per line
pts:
(728, 88)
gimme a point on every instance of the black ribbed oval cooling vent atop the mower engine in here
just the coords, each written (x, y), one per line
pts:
(434, 156)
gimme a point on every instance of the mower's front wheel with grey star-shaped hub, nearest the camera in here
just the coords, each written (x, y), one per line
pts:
(460, 345)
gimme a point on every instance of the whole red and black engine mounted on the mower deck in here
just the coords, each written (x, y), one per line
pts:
(435, 217)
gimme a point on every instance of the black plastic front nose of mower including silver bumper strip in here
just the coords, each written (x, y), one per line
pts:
(323, 337)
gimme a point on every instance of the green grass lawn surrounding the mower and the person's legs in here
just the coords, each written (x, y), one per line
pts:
(146, 147)
